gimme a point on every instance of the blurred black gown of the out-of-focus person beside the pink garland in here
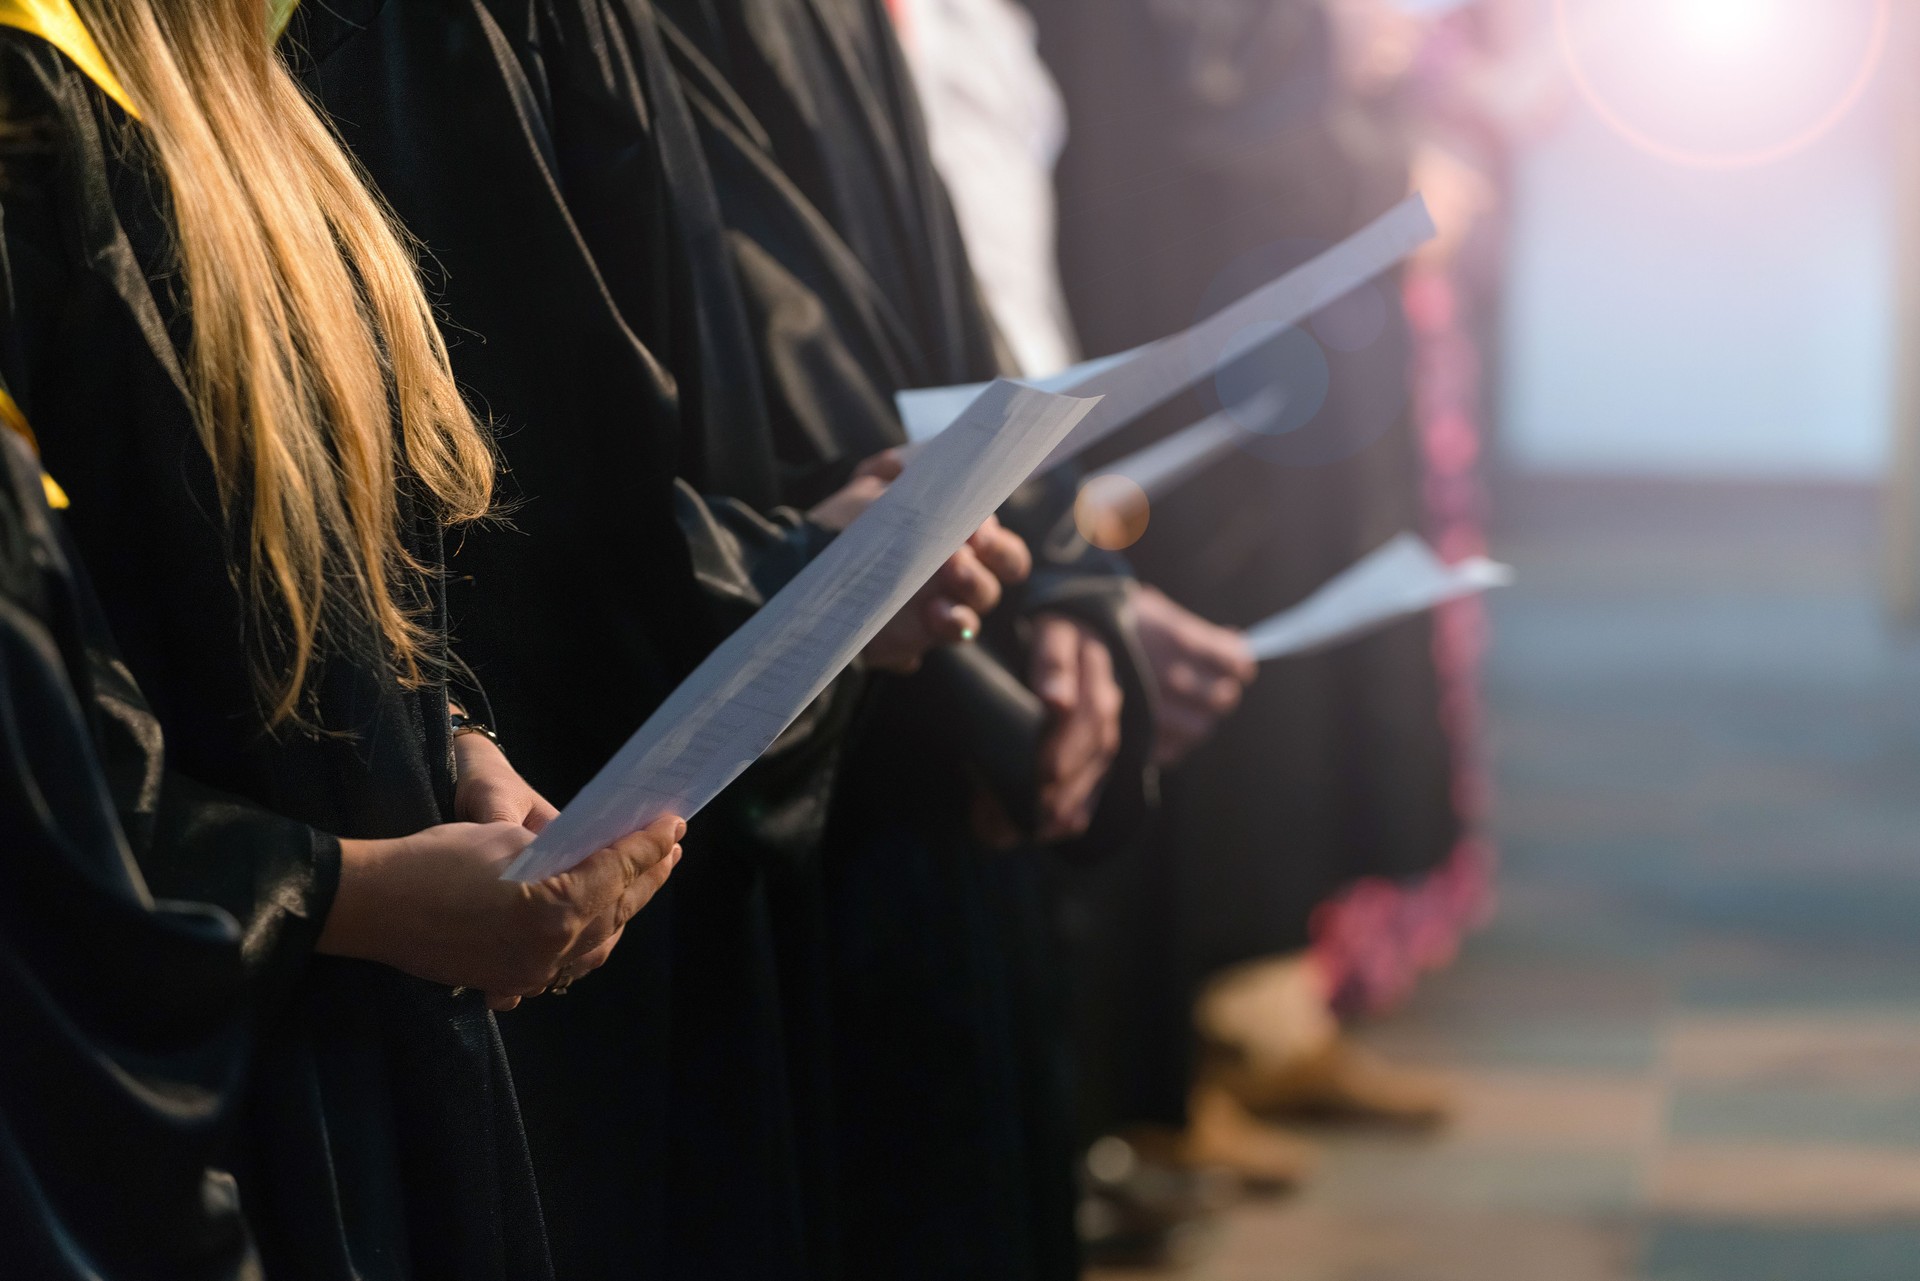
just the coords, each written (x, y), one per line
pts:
(1207, 157)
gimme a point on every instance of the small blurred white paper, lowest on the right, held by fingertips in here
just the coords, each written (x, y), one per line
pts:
(1401, 579)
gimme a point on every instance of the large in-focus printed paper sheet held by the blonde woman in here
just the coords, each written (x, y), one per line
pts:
(763, 677)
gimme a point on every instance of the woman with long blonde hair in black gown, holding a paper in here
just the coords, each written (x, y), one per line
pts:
(381, 1136)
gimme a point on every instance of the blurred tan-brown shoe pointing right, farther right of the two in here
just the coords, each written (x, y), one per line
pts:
(1343, 1082)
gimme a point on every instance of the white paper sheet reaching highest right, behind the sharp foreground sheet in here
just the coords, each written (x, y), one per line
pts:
(1138, 381)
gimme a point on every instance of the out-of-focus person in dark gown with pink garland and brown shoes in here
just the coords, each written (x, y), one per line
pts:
(1214, 145)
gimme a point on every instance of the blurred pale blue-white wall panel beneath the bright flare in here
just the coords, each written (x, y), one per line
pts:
(1698, 322)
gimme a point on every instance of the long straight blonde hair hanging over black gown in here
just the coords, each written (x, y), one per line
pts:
(310, 337)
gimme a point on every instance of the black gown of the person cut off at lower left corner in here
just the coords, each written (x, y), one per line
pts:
(124, 1051)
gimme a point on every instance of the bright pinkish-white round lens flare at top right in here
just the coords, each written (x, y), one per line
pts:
(1733, 60)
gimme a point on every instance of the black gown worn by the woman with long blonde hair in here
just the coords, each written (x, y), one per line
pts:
(381, 1136)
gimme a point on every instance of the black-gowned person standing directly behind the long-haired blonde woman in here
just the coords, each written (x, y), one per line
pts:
(673, 1103)
